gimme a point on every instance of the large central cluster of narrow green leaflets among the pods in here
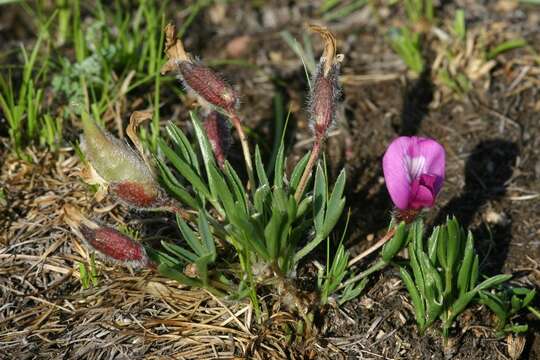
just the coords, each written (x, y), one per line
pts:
(268, 229)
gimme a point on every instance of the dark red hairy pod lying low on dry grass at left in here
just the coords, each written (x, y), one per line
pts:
(116, 246)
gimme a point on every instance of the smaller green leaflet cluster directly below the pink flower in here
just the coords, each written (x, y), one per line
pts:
(445, 274)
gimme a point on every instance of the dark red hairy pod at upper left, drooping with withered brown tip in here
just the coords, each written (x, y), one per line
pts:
(205, 83)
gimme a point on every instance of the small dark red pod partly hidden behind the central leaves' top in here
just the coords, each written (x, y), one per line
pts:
(219, 135)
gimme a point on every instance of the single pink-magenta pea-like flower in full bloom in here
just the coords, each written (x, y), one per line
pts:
(413, 169)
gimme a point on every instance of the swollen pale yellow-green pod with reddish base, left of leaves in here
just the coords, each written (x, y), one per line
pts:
(117, 164)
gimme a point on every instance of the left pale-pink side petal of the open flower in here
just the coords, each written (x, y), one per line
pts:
(396, 173)
